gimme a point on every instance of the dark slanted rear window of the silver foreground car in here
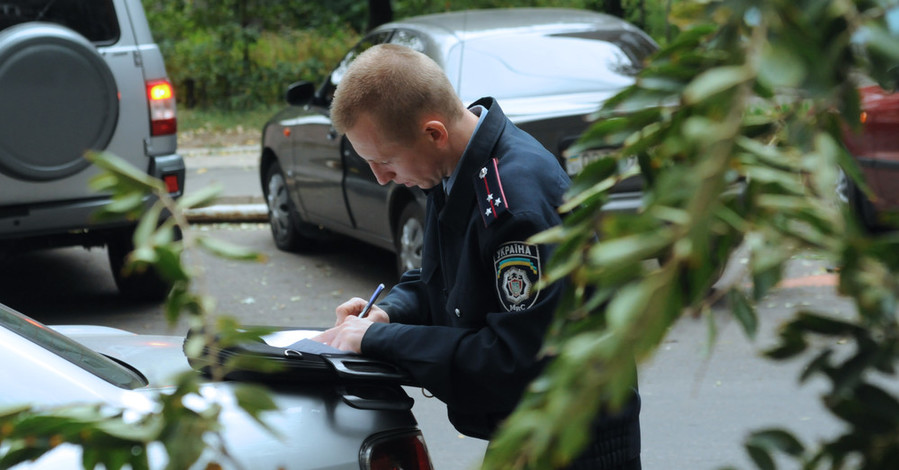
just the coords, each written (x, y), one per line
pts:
(70, 350)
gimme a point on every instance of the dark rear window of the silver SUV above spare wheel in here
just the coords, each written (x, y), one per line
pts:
(94, 19)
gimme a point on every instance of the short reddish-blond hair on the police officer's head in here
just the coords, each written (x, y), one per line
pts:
(397, 86)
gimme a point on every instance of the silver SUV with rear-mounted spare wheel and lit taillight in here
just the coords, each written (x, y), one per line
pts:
(79, 75)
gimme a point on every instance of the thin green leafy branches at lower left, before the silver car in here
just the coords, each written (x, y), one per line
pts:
(182, 419)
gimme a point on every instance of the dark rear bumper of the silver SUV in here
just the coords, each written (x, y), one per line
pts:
(67, 223)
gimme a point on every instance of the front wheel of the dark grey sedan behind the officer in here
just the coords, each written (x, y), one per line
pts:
(282, 214)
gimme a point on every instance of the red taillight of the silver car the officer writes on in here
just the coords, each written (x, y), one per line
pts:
(405, 451)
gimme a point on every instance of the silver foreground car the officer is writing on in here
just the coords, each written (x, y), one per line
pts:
(318, 425)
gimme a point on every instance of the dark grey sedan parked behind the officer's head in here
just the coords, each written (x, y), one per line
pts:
(548, 68)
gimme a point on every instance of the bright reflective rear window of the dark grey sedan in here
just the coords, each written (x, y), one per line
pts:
(518, 66)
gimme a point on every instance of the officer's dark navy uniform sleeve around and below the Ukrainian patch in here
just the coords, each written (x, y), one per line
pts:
(480, 370)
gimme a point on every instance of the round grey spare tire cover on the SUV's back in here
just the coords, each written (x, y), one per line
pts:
(58, 99)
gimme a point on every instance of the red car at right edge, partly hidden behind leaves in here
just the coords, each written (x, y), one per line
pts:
(875, 148)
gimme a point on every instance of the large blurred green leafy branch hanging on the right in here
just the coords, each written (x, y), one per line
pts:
(737, 125)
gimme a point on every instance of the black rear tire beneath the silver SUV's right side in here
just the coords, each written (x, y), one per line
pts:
(143, 285)
